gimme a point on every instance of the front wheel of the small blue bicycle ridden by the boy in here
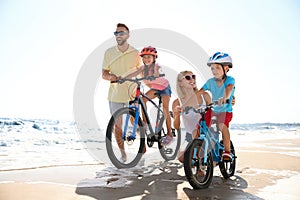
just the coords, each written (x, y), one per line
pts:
(198, 175)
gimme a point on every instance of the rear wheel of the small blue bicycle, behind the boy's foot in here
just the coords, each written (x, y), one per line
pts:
(228, 168)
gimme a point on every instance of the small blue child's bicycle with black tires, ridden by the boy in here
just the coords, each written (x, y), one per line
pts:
(202, 152)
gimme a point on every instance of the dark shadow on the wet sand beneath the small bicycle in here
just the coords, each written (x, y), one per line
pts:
(165, 186)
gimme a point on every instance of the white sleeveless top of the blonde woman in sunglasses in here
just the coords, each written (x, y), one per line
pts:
(191, 119)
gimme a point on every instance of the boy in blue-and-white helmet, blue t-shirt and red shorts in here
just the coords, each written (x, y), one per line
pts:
(222, 88)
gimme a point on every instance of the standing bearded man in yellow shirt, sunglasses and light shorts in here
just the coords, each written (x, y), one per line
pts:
(120, 60)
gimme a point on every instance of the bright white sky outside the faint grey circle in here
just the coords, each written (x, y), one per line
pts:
(43, 45)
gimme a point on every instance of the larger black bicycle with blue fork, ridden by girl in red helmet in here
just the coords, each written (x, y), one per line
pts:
(126, 132)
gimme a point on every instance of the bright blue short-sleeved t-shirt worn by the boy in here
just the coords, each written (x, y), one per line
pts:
(218, 92)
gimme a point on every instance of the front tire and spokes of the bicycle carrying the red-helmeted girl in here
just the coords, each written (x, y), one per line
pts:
(133, 148)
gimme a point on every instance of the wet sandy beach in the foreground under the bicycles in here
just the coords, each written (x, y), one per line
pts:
(262, 173)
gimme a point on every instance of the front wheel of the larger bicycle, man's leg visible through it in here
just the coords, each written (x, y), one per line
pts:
(125, 138)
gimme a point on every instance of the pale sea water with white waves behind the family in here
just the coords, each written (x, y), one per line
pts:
(30, 143)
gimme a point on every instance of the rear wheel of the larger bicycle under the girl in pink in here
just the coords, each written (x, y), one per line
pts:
(170, 151)
